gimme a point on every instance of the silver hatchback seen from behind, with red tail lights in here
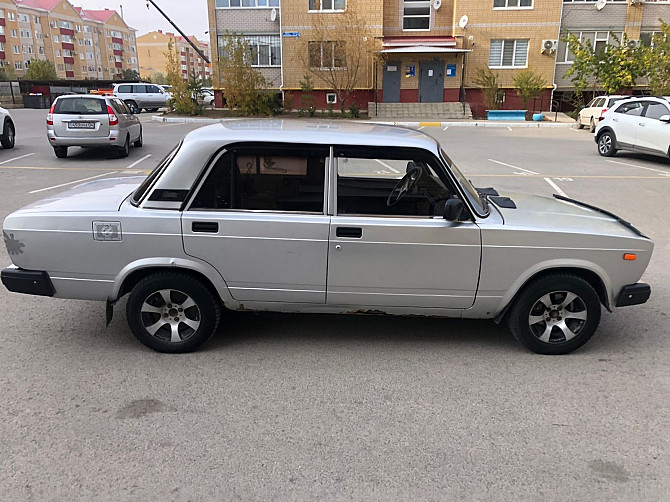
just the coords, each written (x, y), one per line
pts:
(92, 121)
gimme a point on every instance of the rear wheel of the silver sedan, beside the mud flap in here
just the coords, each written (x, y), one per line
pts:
(154, 317)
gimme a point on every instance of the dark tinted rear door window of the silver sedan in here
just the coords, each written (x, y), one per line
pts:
(267, 179)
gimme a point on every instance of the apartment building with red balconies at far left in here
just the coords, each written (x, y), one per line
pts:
(82, 44)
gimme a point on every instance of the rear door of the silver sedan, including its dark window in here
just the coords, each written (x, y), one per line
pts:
(259, 218)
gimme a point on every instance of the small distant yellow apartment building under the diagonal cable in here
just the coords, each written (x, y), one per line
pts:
(153, 47)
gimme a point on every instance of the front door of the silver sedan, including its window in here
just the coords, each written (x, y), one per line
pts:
(404, 254)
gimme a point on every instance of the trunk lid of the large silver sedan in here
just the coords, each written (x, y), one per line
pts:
(99, 196)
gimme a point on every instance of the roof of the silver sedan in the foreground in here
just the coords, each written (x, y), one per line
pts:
(325, 132)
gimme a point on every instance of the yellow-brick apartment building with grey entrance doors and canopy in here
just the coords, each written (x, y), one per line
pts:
(432, 50)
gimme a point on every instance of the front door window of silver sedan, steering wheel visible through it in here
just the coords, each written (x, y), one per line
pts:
(373, 182)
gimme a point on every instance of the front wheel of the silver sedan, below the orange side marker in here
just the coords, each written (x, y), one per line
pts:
(565, 325)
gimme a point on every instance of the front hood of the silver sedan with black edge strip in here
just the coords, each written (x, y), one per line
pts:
(549, 213)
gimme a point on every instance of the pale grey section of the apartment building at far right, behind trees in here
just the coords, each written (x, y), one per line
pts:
(605, 23)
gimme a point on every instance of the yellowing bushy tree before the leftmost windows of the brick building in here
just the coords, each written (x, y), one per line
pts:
(244, 88)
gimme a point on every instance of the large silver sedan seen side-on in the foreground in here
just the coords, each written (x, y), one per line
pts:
(312, 216)
